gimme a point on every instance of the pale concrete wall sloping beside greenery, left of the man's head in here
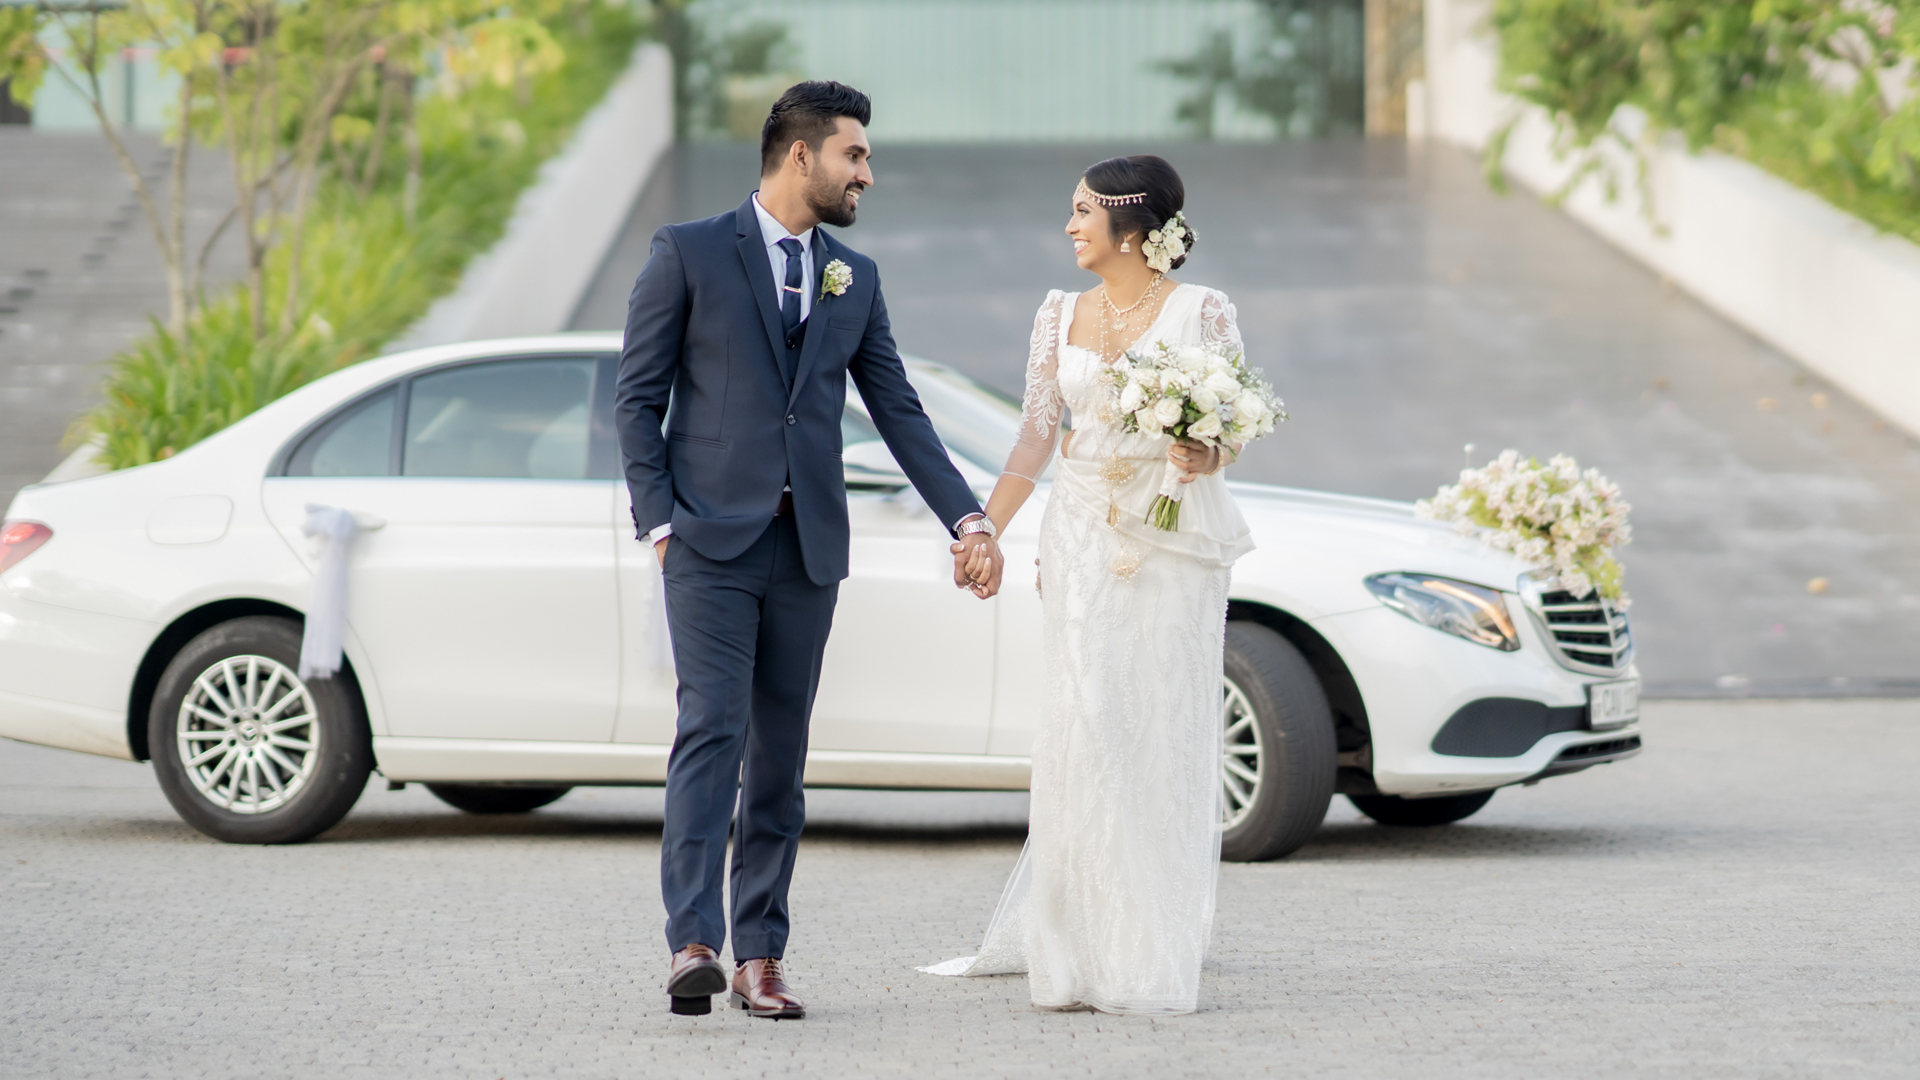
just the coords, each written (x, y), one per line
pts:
(533, 280)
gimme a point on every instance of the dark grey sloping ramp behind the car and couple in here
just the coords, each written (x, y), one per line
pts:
(1404, 310)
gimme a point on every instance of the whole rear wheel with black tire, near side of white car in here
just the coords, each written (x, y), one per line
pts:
(247, 750)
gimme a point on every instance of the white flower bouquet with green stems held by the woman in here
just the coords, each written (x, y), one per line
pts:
(1191, 393)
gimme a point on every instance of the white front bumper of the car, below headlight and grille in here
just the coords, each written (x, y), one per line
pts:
(1414, 679)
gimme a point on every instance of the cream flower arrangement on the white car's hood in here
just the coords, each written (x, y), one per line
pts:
(1552, 516)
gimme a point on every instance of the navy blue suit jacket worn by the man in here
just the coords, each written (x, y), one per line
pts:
(704, 335)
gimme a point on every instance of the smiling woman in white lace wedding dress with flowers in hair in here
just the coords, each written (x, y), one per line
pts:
(1113, 898)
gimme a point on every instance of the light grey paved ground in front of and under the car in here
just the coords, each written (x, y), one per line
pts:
(1737, 902)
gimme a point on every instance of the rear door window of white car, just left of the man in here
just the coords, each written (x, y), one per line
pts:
(502, 420)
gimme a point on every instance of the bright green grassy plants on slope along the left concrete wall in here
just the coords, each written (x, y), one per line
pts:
(370, 268)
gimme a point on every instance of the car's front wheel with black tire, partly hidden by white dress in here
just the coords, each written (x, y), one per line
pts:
(1280, 727)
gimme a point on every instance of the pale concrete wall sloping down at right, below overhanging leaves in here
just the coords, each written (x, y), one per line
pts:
(1810, 280)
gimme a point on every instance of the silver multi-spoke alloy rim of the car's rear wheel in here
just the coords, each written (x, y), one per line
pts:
(249, 735)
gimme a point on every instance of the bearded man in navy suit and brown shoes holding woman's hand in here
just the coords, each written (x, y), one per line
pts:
(740, 337)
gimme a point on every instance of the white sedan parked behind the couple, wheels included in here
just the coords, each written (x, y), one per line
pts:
(506, 631)
